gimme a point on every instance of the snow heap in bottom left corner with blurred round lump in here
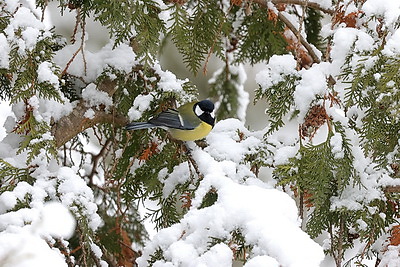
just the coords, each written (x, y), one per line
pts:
(23, 245)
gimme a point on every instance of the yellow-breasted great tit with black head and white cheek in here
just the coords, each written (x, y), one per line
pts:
(191, 121)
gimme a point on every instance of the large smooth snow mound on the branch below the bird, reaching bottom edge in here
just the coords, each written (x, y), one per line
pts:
(237, 207)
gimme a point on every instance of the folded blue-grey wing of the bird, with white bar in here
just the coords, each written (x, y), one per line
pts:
(171, 119)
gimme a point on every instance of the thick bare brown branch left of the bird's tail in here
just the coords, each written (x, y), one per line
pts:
(74, 123)
